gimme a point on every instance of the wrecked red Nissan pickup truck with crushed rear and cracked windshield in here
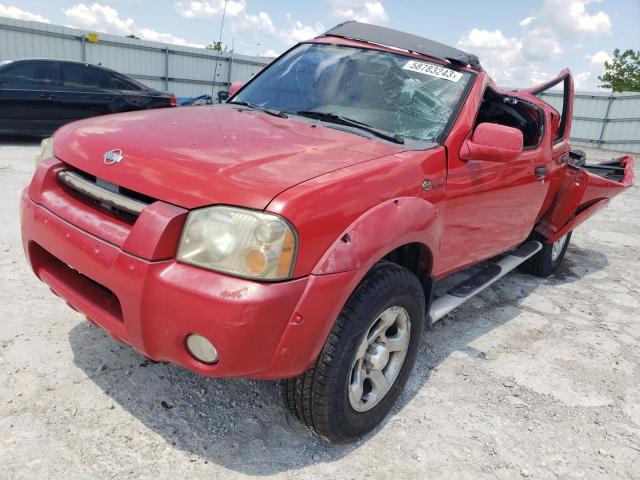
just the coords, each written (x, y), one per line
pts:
(297, 231)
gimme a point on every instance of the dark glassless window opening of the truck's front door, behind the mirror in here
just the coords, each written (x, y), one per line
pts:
(512, 112)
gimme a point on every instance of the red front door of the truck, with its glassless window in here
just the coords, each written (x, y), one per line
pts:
(491, 206)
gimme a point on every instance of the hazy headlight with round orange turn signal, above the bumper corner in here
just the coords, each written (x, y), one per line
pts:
(238, 241)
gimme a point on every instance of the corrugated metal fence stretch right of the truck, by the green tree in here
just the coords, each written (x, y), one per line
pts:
(603, 120)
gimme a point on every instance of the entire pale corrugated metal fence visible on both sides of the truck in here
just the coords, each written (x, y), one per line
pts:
(600, 119)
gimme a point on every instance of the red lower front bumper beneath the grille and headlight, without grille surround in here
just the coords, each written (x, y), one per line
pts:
(154, 305)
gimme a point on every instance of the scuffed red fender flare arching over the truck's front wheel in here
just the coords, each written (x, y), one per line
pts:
(368, 239)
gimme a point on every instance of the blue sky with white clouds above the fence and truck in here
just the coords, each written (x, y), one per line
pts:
(519, 42)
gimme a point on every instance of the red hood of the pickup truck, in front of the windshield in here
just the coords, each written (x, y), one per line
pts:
(197, 156)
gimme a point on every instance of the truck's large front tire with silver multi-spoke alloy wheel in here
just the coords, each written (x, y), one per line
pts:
(325, 397)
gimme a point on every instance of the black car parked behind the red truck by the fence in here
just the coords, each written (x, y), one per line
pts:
(39, 96)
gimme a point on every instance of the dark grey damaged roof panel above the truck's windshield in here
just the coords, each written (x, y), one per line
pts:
(405, 41)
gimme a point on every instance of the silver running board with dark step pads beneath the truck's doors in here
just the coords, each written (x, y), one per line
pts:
(489, 273)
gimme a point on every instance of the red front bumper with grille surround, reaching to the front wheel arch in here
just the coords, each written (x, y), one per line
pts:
(123, 277)
